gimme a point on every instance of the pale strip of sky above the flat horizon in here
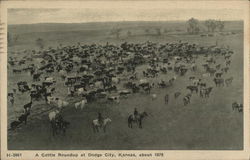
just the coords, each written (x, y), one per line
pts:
(131, 12)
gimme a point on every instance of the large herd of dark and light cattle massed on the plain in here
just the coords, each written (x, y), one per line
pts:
(109, 72)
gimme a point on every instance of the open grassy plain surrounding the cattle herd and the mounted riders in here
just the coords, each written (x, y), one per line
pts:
(203, 124)
